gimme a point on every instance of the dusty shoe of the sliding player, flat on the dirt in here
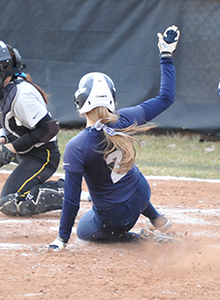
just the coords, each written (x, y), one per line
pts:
(157, 236)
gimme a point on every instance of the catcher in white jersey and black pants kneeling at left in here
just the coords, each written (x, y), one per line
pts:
(28, 137)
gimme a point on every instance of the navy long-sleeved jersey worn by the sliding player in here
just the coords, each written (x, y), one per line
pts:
(83, 159)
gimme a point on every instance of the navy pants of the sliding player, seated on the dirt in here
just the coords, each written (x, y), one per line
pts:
(116, 221)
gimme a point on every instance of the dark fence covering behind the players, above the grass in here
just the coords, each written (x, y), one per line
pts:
(62, 40)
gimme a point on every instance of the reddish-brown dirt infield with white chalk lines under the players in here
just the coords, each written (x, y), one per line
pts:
(186, 270)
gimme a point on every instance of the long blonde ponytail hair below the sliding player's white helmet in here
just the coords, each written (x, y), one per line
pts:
(124, 142)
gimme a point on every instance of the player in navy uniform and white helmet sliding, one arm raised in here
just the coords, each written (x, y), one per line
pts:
(104, 154)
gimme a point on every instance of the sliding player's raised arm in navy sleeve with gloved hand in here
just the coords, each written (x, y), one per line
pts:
(151, 108)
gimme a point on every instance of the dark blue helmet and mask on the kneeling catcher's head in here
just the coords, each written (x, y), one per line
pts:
(9, 65)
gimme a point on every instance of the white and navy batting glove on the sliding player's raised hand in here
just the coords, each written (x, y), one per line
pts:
(168, 41)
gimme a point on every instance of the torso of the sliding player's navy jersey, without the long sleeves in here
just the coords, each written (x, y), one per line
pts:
(84, 153)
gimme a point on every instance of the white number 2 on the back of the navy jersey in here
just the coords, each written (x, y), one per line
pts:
(114, 159)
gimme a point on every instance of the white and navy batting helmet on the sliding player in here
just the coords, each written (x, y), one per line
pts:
(95, 89)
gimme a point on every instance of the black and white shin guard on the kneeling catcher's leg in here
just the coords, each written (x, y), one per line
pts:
(41, 198)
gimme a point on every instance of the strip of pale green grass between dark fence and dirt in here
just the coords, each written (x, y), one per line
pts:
(168, 155)
